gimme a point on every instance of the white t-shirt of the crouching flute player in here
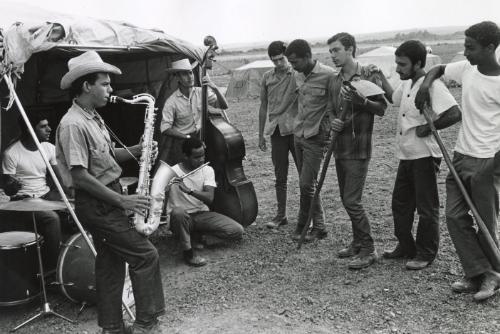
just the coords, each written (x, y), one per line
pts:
(196, 181)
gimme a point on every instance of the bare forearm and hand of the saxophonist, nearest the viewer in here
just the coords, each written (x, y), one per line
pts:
(83, 180)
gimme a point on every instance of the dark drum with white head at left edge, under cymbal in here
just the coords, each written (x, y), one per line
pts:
(19, 281)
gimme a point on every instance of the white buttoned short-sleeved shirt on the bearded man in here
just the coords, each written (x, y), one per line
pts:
(408, 145)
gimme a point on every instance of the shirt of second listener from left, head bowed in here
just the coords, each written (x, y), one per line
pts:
(314, 99)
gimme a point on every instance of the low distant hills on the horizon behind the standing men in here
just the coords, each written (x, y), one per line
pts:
(427, 34)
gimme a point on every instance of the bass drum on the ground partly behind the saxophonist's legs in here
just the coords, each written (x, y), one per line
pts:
(76, 273)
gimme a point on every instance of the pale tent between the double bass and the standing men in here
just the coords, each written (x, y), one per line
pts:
(245, 80)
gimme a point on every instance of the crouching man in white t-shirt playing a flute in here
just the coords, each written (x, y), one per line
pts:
(188, 203)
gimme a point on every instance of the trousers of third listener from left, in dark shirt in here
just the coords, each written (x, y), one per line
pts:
(351, 175)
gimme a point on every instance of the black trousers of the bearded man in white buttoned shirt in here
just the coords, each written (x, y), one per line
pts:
(416, 189)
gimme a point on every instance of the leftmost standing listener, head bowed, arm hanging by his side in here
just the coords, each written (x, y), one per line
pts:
(277, 88)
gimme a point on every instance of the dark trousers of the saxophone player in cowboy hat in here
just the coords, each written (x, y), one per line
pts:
(117, 242)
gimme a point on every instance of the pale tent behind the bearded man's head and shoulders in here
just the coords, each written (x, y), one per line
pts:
(384, 58)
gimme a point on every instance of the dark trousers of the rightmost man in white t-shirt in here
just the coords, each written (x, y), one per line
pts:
(477, 176)
